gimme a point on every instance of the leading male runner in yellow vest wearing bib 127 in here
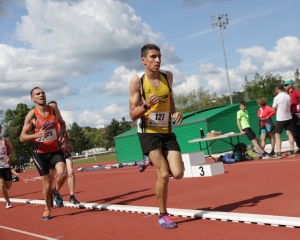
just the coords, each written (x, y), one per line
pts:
(152, 104)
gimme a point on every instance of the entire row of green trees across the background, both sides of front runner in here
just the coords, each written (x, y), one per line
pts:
(82, 138)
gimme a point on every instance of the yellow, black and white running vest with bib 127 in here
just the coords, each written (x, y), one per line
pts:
(158, 118)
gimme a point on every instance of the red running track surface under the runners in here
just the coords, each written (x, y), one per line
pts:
(260, 187)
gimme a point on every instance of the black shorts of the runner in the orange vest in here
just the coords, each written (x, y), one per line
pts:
(46, 161)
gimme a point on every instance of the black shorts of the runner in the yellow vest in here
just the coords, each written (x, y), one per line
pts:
(152, 141)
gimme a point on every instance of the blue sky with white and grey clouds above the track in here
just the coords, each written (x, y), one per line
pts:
(84, 53)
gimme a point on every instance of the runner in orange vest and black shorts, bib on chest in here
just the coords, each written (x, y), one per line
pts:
(44, 121)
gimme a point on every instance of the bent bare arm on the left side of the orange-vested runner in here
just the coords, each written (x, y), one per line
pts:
(27, 127)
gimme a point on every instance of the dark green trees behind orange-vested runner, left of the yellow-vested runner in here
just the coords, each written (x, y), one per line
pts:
(82, 138)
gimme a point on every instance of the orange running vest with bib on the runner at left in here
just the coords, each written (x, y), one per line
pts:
(50, 124)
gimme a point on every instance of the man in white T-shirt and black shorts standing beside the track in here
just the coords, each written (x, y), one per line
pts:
(281, 105)
